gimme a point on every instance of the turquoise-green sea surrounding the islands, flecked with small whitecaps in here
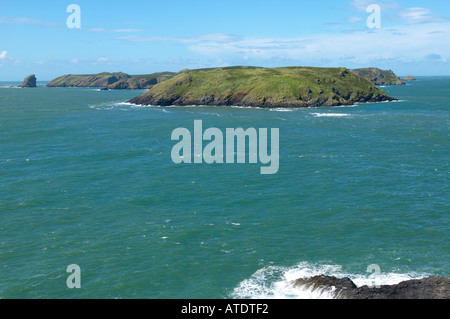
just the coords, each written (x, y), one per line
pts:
(88, 179)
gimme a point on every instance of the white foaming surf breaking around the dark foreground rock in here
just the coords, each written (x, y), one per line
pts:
(275, 282)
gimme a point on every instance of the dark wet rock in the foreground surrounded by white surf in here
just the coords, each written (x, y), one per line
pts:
(434, 287)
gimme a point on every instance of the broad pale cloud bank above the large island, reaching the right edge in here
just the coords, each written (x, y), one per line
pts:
(404, 44)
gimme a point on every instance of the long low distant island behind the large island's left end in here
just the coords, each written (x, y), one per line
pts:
(111, 81)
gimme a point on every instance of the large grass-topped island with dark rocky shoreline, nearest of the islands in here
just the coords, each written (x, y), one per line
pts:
(264, 87)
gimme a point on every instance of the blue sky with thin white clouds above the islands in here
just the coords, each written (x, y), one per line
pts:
(142, 37)
